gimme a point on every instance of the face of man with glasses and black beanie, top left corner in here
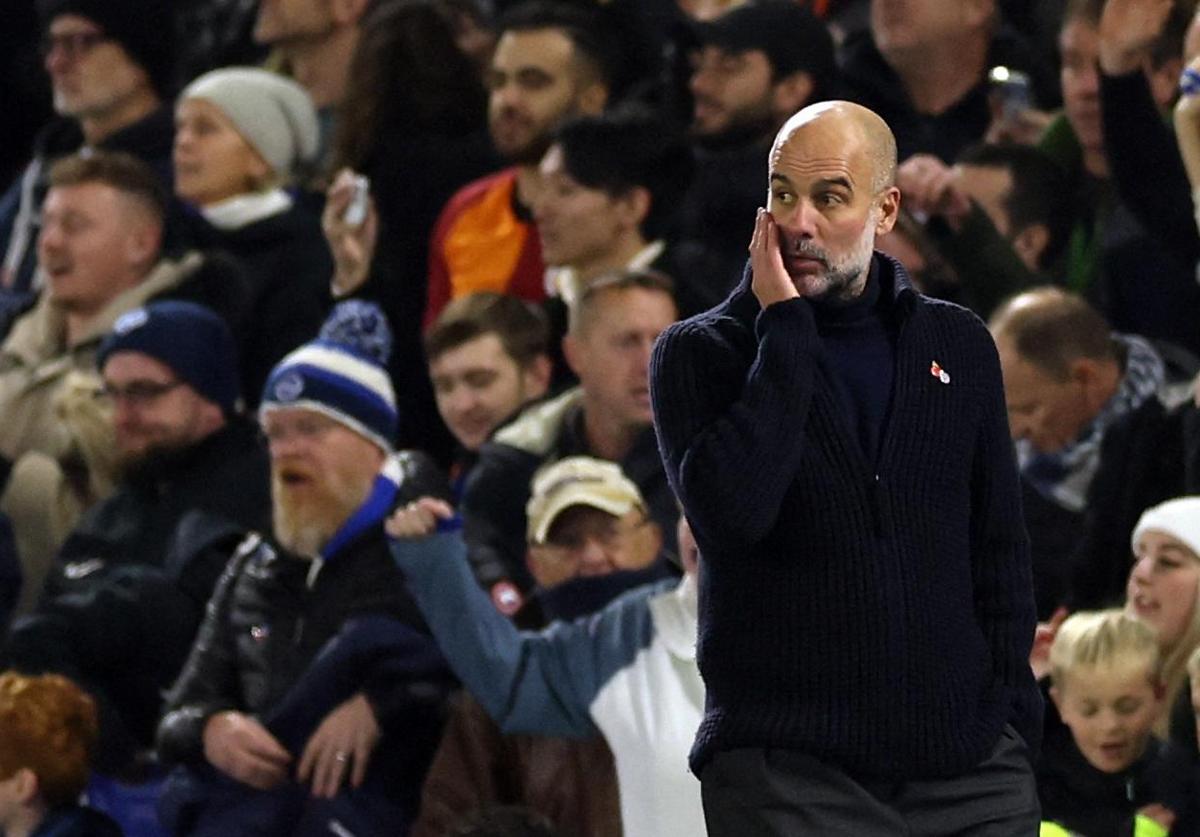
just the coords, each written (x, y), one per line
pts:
(91, 75)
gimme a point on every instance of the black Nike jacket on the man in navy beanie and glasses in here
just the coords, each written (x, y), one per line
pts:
(129, 587)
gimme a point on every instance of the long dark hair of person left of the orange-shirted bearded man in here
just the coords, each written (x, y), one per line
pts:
(410, 79)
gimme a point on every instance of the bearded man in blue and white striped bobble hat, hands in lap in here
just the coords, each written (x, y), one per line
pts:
(314, 688)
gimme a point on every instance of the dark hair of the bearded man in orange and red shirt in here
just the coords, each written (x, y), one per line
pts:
(590, 32)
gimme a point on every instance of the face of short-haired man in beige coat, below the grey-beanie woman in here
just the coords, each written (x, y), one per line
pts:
(92, 245)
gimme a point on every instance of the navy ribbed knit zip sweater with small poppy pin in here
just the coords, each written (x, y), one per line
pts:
(875, 616)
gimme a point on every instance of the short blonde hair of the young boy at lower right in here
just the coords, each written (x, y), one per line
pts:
(1105, 640)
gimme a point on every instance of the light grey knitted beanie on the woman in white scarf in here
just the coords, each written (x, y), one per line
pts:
(273, 113)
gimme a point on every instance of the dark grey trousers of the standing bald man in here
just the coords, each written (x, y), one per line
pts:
(777, 792)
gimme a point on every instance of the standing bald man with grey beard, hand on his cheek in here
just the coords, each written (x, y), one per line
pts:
(841, 447)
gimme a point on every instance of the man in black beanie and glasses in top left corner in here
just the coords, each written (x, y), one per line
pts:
(109, 64)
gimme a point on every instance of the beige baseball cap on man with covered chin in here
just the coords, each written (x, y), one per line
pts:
(579, 481)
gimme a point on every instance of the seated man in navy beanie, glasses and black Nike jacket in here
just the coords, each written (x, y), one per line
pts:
(128, 591)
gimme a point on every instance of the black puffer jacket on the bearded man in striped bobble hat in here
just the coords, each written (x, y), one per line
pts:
(266, 624)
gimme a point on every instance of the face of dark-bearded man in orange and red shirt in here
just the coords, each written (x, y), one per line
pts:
(535, 85)
